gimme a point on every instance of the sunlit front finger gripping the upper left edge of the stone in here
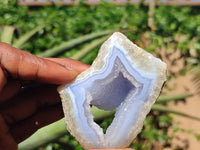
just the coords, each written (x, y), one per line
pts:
(25, 66)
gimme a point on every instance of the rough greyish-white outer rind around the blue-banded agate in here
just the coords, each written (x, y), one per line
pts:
(145, 62)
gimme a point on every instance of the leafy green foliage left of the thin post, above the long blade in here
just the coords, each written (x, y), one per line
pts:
(67, 23)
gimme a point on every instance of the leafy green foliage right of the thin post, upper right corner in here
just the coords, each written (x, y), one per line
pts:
(172, 21)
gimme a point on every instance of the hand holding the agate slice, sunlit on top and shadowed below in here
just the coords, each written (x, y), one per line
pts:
(28, 96)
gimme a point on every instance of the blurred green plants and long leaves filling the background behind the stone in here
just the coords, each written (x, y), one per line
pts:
(78, 31)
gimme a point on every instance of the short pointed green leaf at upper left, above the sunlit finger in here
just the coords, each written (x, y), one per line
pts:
(24, 38)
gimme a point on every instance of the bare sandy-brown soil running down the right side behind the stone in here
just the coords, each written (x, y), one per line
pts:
(181, 85)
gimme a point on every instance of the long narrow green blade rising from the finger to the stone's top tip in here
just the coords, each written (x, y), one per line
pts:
(55, 51)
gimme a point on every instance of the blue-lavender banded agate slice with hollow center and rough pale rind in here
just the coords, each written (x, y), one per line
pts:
(123, 77)
